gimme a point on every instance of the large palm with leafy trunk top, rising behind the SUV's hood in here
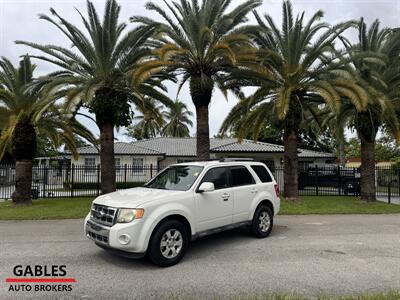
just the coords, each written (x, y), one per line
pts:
(97, 72)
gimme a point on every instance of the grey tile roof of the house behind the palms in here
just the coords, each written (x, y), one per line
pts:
(186, 147)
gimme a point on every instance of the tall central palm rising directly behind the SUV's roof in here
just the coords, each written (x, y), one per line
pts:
(200, 43)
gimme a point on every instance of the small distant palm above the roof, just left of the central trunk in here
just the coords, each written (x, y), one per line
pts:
(178, 120)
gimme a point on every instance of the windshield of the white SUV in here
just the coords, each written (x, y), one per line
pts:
(178, 178)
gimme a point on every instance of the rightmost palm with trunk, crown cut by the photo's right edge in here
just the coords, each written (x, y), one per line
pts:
(375, 59)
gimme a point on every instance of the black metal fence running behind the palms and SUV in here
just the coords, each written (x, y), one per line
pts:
(80, 181)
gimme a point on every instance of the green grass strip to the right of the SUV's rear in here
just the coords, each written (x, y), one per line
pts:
(335, 205)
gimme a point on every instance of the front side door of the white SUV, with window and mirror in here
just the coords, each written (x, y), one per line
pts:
(214, 209)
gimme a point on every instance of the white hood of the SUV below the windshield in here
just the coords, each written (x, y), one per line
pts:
(132, 198)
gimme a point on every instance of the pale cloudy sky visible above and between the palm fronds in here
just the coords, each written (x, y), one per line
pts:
(19, 21)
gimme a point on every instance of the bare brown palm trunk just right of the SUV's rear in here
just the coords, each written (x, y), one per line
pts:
(290, 166)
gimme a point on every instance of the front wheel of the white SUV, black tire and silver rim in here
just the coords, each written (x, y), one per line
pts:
(168, 243)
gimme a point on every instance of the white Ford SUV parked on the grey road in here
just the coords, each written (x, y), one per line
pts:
(184, 202)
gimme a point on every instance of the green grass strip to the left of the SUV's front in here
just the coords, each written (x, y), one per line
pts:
(47, 209)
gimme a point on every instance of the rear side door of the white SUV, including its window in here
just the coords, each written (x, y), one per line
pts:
(244, 190)
